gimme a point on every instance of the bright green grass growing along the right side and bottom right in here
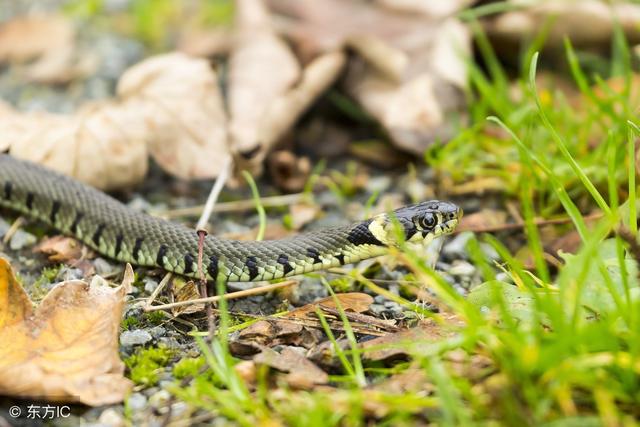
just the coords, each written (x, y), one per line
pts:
(552, 347)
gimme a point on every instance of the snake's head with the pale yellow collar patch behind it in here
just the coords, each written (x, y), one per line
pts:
(421, 222)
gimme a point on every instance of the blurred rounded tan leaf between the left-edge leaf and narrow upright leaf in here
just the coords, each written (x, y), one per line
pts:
(178, 99)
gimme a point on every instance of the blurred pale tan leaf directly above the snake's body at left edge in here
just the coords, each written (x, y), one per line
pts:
(103, 144)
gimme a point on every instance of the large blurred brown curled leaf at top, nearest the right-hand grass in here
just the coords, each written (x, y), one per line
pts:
(413, 73)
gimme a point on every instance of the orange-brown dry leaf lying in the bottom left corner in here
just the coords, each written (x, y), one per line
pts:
(67, 348)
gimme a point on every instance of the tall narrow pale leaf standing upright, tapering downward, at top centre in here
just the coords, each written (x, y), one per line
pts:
(262, 67)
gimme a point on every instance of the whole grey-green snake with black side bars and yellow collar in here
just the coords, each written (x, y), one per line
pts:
(118, 232)
